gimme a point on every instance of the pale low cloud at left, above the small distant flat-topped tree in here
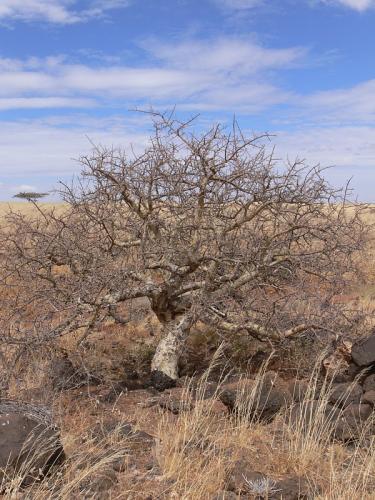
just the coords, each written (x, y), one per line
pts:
(48, 149)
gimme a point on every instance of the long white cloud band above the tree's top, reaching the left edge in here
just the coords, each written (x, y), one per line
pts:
(227, 73)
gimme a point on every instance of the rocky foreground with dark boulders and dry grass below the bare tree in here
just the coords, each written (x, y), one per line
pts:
(257, 436)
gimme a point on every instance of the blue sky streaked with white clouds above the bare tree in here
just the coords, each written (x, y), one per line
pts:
(71, 71)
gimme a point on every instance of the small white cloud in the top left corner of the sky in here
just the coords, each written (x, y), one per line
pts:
(55, 11)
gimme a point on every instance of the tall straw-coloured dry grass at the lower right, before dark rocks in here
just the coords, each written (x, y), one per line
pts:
(198, 450)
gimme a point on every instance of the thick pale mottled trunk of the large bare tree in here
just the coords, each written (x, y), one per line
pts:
(164, 366)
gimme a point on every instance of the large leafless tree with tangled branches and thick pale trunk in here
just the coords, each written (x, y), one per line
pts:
(209, 227)
